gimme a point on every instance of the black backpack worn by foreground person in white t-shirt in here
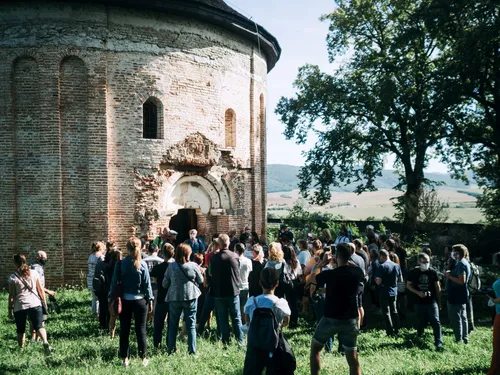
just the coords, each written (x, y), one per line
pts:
(264, 331)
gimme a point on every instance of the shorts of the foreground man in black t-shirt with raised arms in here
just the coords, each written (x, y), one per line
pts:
(346, 329)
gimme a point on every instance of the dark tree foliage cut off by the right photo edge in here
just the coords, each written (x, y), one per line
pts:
(468, 31)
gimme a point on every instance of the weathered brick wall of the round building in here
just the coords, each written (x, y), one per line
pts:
(74, 167)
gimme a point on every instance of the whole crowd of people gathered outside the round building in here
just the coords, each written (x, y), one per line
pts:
(254, 290)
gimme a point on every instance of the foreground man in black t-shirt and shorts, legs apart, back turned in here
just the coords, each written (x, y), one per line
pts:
(341, 310)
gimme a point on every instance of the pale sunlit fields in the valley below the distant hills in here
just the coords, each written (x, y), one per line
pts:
(377, 204)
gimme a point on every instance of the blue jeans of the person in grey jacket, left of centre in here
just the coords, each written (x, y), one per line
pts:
(174, 315)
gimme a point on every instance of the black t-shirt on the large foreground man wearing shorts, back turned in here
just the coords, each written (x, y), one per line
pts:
(341, 291)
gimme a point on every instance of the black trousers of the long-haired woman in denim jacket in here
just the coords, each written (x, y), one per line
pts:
(138, 308)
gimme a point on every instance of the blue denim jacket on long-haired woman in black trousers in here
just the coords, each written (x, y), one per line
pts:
(134, 282)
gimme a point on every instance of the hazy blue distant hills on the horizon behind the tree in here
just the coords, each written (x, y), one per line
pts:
(282, 177)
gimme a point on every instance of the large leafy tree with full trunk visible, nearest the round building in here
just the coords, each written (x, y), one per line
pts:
(386, 99)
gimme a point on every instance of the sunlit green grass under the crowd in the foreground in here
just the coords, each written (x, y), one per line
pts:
(80, 349)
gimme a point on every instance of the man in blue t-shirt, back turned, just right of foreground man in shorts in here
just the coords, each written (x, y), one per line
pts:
(387, 277)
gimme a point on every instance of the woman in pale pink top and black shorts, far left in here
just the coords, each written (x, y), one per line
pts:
(25, 301)
